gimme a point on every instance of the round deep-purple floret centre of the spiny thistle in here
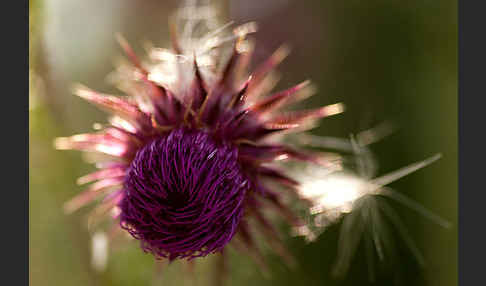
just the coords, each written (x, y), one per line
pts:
(184, 195)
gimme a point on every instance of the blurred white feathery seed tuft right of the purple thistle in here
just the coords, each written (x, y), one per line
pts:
(359, 201)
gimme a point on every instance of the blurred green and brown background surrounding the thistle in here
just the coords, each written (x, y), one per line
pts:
(385, 59)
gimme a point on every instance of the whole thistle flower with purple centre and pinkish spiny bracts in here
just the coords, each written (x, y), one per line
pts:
(191, 154)
